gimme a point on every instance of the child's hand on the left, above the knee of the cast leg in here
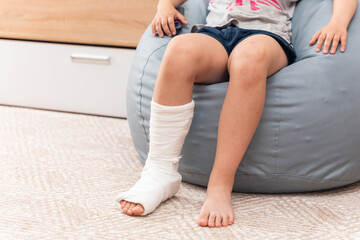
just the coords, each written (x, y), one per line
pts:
(164, 21)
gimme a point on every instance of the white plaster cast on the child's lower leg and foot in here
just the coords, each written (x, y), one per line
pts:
(160, 179)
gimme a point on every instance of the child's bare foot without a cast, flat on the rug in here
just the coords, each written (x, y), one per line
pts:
(217, 209)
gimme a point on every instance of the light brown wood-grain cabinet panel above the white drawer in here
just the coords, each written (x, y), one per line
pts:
(105, 22)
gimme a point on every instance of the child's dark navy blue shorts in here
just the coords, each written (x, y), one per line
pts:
(231, 35)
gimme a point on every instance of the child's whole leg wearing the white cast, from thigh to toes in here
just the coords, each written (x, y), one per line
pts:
(188, 58)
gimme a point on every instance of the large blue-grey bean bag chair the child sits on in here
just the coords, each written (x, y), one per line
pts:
(308, 137)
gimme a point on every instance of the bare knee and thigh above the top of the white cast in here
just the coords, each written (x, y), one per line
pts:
(189, 58)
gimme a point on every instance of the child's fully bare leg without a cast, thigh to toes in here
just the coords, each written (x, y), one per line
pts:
(249, 64)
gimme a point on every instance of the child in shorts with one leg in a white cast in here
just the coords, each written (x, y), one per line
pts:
(243, 42)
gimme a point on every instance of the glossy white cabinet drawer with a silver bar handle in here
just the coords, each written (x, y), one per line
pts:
(74, 78)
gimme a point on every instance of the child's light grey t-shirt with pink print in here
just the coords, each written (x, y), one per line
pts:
(268, 15)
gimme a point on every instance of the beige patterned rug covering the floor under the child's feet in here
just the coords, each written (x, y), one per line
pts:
(60, 173)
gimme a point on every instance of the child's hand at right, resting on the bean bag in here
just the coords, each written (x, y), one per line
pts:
(334, 33)
